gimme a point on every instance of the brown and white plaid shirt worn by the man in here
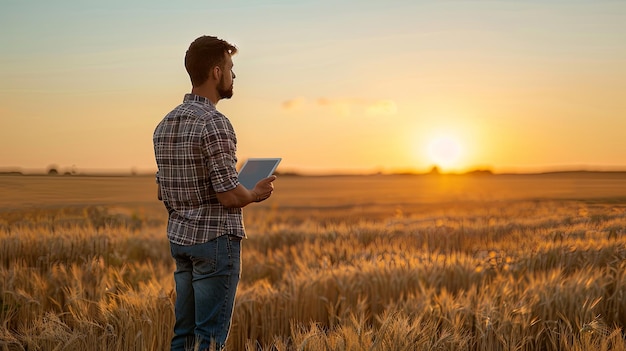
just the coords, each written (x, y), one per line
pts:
(194, 147)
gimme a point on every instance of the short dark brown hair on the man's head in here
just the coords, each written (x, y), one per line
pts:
(203, 54)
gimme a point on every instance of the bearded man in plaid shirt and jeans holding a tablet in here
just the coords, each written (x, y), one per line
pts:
(195, 147)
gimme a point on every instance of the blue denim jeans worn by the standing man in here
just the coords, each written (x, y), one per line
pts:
(206, 280)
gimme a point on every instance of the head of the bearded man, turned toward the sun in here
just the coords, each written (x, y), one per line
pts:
(209, 59)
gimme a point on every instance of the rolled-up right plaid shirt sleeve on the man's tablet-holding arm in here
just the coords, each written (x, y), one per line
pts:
(221, 150)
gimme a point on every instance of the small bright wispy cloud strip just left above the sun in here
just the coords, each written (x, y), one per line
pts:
(346, 106)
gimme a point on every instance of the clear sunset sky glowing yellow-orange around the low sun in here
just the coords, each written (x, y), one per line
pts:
(353, 86)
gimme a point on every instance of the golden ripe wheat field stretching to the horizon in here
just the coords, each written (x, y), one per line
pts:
(506, 262)
